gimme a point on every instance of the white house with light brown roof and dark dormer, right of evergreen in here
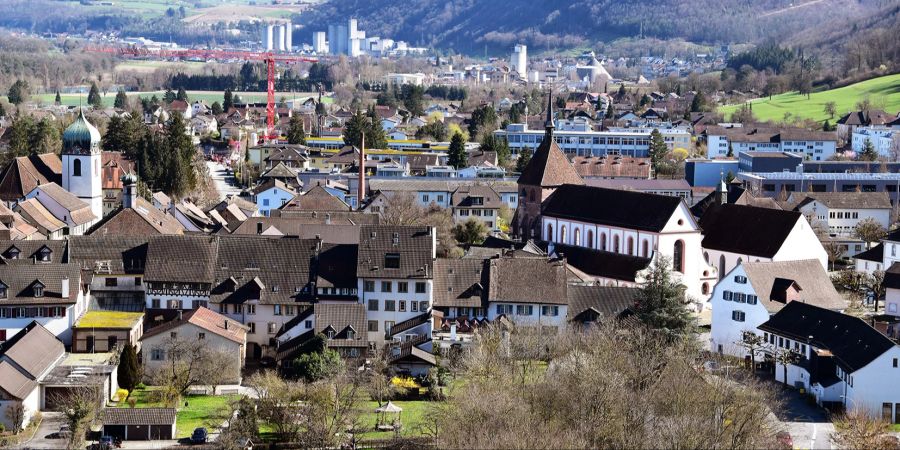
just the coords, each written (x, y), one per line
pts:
(751, 292)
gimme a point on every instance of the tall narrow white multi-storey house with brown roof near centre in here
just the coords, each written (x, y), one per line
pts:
(395, 269)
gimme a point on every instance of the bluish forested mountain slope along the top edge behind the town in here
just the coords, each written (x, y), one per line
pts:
(470, 25)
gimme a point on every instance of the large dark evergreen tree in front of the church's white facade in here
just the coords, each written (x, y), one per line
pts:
(660, 302)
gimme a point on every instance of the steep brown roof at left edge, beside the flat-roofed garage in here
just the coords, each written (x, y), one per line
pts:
(34, 348)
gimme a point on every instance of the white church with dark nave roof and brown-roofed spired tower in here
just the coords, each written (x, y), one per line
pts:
(557, 208)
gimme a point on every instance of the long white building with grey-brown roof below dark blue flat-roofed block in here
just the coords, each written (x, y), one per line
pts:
(840, 212)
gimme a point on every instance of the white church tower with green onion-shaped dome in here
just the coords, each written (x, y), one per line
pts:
(81, 158)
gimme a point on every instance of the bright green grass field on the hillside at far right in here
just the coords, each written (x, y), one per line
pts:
(883, 92)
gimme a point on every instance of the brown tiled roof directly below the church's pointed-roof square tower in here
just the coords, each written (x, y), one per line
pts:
(527, 280)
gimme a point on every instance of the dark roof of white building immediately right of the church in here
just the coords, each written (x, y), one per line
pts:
(737, 229)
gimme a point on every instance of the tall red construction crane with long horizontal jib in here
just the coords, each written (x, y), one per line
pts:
(206, 54)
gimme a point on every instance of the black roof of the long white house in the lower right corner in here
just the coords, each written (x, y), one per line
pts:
(853, 343)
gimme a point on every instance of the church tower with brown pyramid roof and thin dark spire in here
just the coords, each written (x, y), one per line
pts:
(548, 169)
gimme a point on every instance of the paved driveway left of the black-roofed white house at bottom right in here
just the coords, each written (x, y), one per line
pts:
(809, 425)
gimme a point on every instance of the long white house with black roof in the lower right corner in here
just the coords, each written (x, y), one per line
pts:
(841, 360)
